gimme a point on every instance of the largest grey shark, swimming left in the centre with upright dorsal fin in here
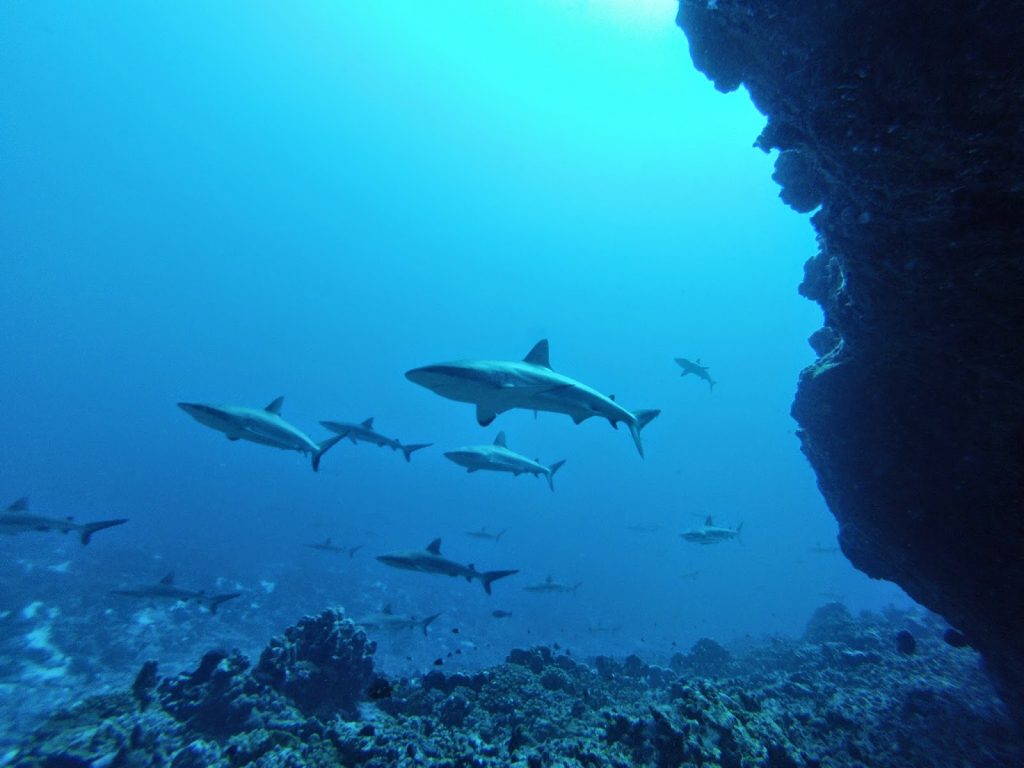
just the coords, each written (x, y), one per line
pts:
(497, 387)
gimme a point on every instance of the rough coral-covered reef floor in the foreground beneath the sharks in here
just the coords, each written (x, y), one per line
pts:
(844, 695)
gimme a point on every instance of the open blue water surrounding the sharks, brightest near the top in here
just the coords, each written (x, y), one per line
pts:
(238, 201)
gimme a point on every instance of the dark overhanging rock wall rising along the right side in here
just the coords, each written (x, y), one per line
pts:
(905, 122)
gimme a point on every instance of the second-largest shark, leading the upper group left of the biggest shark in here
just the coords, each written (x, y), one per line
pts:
(260, 425)
